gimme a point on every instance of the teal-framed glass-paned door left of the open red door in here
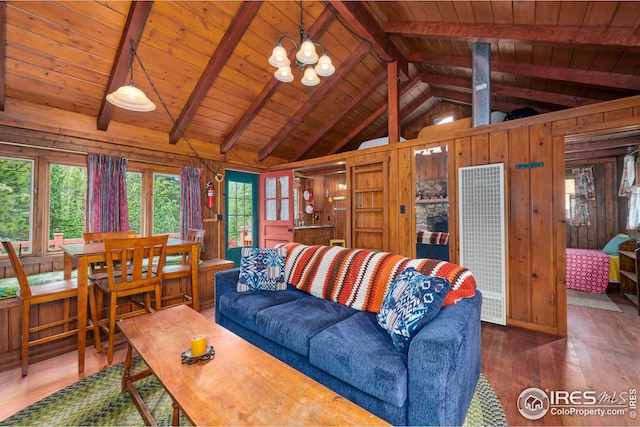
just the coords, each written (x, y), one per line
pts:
(241, 211)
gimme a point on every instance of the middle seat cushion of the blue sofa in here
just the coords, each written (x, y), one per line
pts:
(294, 323)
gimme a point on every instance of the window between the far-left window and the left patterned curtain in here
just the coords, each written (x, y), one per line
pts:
(67, 204)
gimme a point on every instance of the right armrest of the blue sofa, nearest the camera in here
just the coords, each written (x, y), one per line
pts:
(444, 365)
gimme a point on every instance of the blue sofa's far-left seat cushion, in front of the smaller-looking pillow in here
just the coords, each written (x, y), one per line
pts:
(242, 307)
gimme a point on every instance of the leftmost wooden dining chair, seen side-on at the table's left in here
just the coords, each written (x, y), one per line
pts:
(44, 332)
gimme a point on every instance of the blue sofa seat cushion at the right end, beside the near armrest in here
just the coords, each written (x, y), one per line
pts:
(360, 353)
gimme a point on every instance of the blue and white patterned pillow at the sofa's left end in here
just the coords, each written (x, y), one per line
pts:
(262, 269)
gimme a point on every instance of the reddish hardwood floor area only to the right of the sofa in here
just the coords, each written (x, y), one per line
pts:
(599, 354)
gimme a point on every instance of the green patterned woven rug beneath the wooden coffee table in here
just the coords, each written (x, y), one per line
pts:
(98, 401)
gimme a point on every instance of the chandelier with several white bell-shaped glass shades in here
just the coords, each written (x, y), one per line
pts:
(307, 59)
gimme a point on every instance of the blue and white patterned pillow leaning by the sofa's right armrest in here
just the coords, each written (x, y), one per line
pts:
(410, 303)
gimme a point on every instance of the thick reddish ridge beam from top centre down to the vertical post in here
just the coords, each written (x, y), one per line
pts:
(356, 16)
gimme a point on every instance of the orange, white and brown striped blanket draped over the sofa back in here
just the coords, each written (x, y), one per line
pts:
(359, 278)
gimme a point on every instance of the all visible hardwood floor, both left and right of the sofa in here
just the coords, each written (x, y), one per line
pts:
(600, 354)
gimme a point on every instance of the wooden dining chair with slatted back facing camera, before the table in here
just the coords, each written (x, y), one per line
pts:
(143, 278)
